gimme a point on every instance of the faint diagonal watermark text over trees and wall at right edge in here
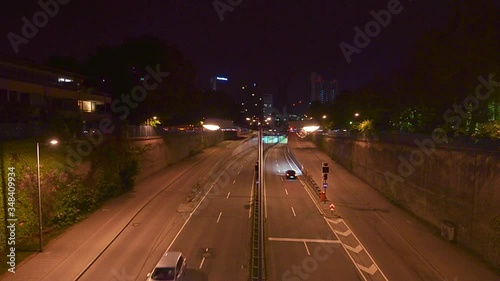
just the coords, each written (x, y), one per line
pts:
(454, 117)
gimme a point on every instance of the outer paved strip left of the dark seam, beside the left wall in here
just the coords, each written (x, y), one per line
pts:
(84, 241)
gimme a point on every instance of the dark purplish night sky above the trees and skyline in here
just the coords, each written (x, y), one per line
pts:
(272, 43)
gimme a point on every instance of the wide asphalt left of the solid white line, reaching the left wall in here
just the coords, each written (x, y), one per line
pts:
(126, 237)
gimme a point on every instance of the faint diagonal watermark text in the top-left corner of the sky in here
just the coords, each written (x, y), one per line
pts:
(49, 9)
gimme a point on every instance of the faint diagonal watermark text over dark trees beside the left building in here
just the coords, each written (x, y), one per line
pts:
(120, 106)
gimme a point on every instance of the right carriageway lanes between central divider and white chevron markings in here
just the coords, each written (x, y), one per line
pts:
(300, 244)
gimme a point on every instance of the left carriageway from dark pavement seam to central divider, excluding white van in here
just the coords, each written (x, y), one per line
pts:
(214, 237)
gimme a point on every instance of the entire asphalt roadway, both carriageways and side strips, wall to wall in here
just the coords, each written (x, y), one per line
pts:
(364, 238)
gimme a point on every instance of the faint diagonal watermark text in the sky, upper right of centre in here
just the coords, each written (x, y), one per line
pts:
(372, 29)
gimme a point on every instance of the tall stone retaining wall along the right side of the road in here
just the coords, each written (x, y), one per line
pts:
(461, 186)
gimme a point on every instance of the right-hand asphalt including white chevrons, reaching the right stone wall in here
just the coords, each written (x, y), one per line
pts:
(380, 237)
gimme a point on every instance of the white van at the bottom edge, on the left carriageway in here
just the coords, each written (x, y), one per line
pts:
(171, 267)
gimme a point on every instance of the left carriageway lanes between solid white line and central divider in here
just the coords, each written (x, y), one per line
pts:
(217, 237)
